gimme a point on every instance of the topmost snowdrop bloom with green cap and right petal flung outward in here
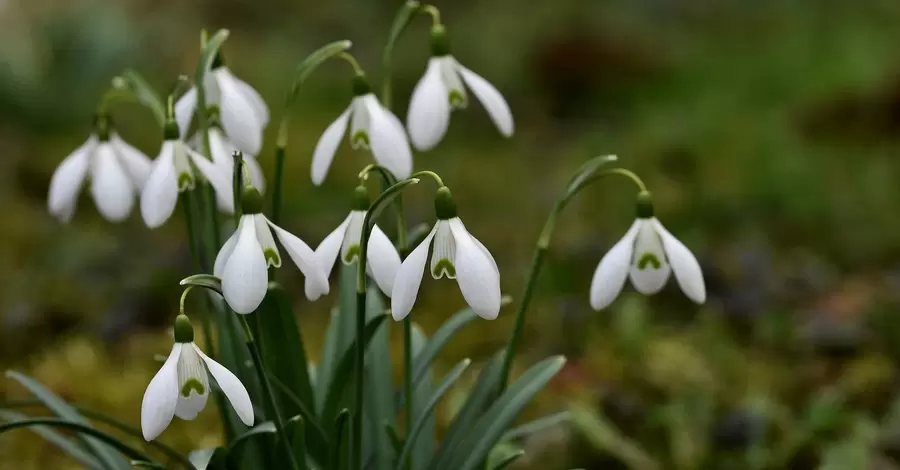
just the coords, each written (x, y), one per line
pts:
(441, 91)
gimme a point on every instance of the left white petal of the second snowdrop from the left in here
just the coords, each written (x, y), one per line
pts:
(160, 194)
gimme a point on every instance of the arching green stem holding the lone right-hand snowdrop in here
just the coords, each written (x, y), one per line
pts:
(537, 260)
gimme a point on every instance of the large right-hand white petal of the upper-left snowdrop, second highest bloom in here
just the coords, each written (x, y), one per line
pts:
(239, 118)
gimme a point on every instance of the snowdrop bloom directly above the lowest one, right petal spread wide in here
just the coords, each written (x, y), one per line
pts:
(243, 261)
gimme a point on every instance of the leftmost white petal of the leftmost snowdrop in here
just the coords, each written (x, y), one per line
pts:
(67, 180)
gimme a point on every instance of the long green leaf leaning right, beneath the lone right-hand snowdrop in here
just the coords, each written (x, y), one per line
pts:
(491, 426)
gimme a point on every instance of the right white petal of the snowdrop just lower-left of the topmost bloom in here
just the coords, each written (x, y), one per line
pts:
(388, 139)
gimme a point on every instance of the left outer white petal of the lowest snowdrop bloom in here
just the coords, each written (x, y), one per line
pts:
(158, 405)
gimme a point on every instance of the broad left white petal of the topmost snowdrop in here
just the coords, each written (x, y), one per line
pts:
(429, 109)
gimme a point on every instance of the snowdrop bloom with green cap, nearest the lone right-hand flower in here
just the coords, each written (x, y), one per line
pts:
(457, 255)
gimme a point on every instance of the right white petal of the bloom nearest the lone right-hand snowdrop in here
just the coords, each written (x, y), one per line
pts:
(476, 273)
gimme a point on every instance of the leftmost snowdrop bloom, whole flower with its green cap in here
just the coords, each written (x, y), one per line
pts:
(117, 172)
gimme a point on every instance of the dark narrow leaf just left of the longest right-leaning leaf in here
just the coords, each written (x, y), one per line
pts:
(485, 387)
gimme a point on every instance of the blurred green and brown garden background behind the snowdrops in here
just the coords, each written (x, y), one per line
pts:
(767, 130)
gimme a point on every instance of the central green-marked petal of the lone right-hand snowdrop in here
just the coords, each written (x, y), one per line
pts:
(649, 268)
